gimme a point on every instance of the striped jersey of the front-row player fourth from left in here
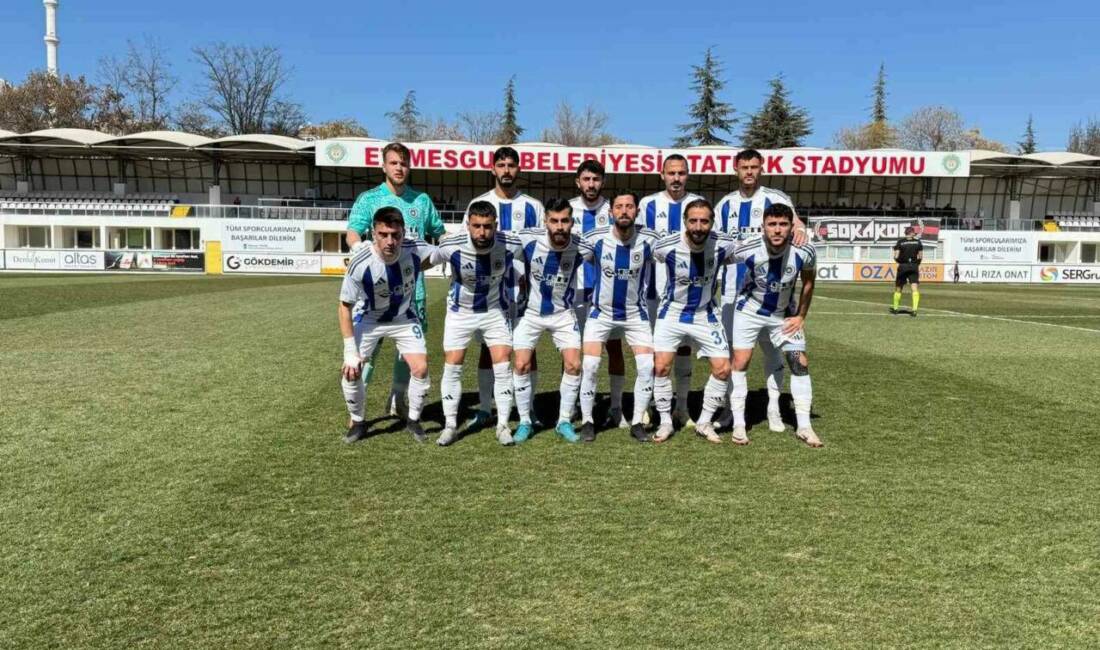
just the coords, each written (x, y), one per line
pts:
(625, 271)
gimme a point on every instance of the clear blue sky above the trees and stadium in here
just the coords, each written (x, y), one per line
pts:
(995, 62)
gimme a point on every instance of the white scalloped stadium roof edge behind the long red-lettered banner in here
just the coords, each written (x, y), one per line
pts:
(268, 148)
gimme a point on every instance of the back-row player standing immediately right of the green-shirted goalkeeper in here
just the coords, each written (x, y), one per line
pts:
(515, 212)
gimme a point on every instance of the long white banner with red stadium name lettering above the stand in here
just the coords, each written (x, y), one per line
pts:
(647, 160)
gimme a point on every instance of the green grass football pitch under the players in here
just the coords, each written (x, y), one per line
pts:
(173, 476)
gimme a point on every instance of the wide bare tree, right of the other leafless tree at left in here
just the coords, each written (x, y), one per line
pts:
(245, 85)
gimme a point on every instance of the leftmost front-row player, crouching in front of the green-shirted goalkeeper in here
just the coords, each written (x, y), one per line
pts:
(380, 285)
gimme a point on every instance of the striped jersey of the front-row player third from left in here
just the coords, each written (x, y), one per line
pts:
(552, 274)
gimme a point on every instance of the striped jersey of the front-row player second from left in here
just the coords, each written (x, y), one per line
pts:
(480, 281)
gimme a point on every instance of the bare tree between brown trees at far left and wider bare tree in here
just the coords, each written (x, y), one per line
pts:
(145, 78)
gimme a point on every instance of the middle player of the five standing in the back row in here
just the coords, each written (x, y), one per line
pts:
(592, 211)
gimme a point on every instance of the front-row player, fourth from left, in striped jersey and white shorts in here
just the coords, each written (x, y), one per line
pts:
(624, 259)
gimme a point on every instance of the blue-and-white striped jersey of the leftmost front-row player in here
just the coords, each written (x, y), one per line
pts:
(384, 293)
